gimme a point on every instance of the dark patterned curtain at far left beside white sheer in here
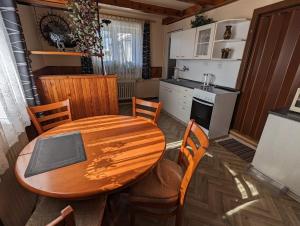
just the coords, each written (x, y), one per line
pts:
(14, 29)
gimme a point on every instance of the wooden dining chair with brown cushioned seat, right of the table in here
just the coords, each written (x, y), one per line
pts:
(163, 191)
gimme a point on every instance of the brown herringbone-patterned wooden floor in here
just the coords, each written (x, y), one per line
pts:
(222, 191)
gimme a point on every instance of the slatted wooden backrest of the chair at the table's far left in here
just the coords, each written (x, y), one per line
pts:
(50, 115)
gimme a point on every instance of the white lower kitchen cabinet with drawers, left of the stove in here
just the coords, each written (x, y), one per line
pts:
(176, 100)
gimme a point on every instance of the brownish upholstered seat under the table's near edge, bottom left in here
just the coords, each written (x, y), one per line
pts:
(87, 212)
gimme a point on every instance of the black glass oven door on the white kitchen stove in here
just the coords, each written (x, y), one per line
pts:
(201, 112)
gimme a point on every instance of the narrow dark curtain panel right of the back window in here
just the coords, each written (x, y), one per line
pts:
(146, 73)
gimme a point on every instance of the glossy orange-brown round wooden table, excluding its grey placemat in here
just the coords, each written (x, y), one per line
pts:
(119, 150)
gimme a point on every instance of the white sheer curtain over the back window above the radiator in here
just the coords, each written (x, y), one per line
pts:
(123, 49)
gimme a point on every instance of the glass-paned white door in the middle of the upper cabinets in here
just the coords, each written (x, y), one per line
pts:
(204, 41)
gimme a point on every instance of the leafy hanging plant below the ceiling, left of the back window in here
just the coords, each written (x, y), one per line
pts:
(86, 27)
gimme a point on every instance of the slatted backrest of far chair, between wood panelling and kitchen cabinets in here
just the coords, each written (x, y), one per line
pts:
(152, 114)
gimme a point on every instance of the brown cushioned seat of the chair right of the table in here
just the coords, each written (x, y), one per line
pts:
(160, 186)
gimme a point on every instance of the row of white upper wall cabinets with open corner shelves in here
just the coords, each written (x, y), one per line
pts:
(207, 42)
